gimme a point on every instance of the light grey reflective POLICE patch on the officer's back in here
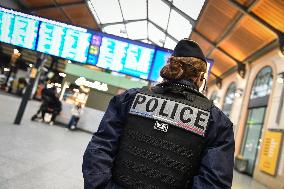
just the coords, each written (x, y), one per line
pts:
(172, 112)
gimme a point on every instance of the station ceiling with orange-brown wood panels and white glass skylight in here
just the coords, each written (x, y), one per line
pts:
(232, 32)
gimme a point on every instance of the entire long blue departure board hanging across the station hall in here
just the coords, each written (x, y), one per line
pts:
(81, 45)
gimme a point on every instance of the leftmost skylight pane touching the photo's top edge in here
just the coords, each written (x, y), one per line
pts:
(108, 10)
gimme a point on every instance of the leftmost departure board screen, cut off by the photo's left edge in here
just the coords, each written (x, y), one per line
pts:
(18, 30)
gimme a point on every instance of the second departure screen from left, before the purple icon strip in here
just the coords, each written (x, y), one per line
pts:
(63, 42)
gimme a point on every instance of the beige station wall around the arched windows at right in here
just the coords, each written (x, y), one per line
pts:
(239, 113)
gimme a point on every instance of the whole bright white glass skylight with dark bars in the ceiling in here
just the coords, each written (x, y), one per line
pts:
(160, 14)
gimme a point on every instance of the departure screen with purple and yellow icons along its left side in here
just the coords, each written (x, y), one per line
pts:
(121, 56)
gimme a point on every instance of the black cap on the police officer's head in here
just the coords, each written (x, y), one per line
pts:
(188, 48)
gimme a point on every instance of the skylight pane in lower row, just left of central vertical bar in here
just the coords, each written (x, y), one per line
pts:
(137, 30)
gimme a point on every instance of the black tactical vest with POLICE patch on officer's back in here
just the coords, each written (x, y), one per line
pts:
(163, 139)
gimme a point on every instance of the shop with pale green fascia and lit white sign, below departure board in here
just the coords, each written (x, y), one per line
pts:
(93, 89)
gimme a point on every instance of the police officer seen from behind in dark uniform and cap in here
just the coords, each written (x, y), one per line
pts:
(166, 137)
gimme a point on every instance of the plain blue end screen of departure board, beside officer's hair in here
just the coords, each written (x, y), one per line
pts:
(161, 58)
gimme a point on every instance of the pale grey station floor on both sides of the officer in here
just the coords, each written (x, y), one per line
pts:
(37, 156)
